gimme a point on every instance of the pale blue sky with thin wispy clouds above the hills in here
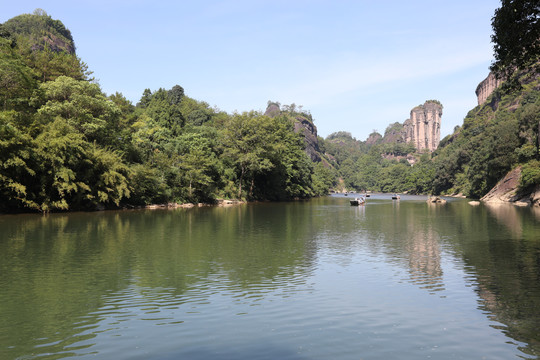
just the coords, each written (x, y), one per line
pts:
(357, 66)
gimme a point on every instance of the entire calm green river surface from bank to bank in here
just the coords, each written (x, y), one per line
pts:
(302, 280)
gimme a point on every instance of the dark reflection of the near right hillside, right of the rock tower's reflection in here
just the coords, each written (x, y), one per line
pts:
(500, 248)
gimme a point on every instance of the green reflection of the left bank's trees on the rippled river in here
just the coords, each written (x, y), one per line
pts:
(117, 266)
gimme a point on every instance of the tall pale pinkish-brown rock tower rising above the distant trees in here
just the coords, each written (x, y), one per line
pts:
(423, 129)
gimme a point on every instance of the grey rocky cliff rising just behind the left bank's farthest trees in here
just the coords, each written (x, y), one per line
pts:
(303, 124)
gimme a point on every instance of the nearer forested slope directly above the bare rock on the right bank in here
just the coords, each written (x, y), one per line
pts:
(495, 138)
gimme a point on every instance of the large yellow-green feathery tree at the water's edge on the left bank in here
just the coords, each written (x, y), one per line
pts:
(76, 174)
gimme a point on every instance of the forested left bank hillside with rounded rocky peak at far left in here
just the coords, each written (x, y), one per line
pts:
(65, 145)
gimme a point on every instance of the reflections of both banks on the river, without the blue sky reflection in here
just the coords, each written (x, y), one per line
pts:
(66, 279)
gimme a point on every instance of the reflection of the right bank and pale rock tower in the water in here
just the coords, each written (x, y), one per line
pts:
(498, 245)
